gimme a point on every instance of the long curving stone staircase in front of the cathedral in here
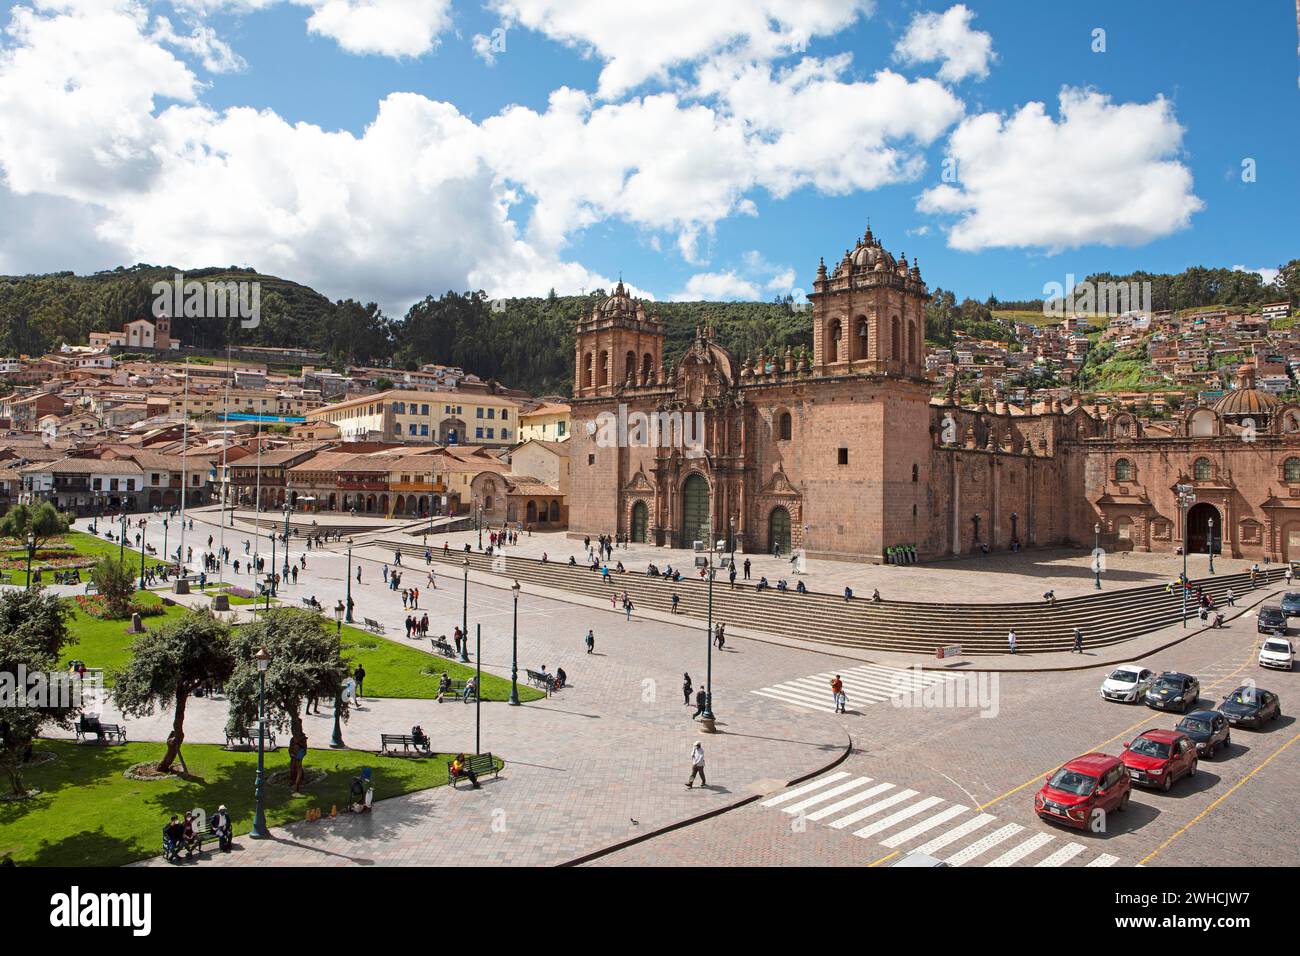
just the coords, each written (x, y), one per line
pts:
(1107, 617)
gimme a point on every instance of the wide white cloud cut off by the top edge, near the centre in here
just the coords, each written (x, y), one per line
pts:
(642, 42)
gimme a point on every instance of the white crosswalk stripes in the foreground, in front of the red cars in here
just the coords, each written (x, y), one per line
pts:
(908, 821)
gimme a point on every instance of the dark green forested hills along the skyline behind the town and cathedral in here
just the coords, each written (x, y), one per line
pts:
(523, 343)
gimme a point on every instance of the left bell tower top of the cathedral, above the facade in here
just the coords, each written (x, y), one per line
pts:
(617, 345)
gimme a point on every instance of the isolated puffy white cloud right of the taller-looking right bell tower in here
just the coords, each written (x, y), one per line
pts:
(1103, 174)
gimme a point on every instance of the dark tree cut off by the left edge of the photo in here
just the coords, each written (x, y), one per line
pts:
(33, 634)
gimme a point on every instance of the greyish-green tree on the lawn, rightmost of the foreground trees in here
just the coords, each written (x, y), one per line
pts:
(306, 661)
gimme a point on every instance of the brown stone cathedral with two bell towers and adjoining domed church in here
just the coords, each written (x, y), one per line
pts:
(847, 452)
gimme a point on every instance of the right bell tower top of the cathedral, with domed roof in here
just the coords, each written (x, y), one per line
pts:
(869, 314)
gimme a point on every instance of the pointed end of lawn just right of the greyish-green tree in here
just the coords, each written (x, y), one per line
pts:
(398, 671)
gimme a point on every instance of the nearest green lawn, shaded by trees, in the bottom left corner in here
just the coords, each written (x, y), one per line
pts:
(89, 815)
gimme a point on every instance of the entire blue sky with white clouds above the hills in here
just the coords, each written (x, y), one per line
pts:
(688, 157)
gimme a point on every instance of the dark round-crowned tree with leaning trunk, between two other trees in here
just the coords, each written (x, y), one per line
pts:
(168, 667)
